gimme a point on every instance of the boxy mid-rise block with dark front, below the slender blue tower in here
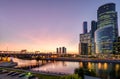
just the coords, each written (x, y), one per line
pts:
(85, 44)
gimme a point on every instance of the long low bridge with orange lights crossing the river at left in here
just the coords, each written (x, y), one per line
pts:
(27, 55)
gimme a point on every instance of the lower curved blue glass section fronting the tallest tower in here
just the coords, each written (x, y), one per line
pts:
(104, 40)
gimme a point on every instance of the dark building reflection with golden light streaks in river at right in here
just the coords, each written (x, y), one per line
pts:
(103, 70)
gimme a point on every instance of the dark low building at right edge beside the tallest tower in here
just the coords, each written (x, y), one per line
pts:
(116, 46)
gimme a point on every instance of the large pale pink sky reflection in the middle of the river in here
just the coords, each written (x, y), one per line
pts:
(64, 67)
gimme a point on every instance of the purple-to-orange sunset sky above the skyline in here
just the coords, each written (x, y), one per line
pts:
(45, 25)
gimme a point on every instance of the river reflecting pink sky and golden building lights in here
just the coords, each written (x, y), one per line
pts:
(104, 70)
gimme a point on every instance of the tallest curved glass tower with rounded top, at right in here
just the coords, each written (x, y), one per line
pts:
(107, 28)
